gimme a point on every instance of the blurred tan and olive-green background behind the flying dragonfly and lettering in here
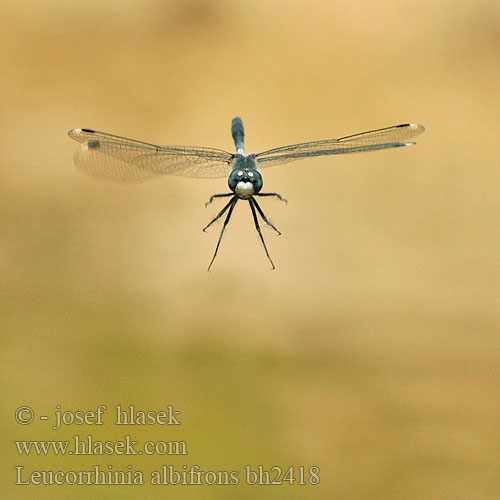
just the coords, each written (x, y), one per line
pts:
(372, 351)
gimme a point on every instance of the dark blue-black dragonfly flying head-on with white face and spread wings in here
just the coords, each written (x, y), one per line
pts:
(127, 160)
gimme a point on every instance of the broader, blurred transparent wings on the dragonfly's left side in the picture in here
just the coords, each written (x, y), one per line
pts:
(127, 160)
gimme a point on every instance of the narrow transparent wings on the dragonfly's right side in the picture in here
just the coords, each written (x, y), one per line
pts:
(383, 138)
